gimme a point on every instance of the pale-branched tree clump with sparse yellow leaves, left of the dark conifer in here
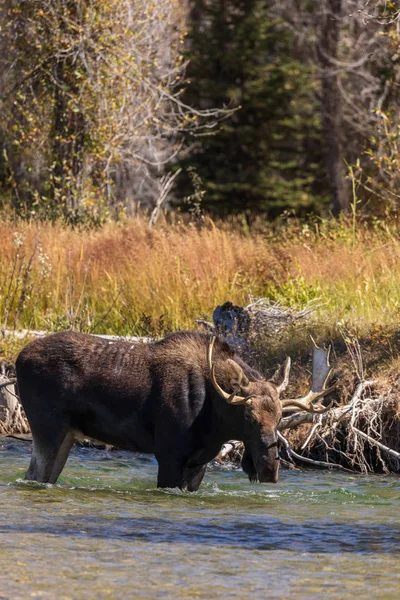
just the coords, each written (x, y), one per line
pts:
(86, 93)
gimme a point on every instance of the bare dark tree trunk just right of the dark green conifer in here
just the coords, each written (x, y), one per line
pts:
(331, 104)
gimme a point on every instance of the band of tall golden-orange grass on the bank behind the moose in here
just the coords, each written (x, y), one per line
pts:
(125, 279)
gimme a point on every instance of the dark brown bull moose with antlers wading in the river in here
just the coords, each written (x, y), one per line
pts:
(179, 398)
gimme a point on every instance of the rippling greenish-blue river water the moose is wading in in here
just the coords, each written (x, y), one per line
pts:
(105, 531)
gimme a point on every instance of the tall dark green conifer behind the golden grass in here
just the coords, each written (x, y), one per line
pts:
(265, 156)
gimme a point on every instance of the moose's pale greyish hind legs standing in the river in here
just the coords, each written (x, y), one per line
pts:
(48, 459)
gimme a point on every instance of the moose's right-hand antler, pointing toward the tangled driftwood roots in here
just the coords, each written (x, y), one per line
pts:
(320, 373)
